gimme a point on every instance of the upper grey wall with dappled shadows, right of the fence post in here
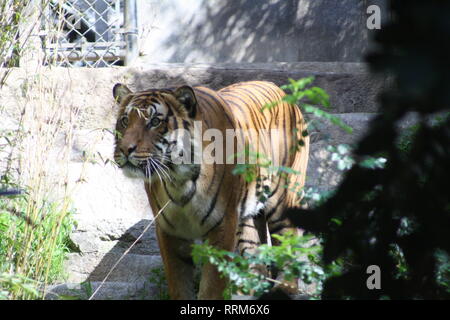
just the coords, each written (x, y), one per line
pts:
(259, 31)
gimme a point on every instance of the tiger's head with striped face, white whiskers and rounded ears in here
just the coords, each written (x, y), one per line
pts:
(153, 131)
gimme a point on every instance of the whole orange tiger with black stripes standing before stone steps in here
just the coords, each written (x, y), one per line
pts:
(199, 200)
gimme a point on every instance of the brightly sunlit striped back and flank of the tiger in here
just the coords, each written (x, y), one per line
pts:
(280, 125)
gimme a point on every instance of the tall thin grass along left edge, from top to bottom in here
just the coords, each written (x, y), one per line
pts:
(34, 226)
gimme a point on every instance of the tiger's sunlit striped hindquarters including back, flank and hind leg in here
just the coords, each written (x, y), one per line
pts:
(282, 129)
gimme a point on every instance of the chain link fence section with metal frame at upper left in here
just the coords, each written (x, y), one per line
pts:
(88, 33)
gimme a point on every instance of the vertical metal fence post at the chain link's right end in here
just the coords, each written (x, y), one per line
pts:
(131, 31)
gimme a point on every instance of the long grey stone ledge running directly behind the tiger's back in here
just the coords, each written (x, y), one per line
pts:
(350, 86)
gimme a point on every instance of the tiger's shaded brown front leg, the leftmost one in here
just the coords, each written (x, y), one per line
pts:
(178, 265)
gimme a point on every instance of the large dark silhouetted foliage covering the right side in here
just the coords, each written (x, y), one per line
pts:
(397, 217)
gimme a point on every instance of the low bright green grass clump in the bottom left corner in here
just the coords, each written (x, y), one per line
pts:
(34, 239)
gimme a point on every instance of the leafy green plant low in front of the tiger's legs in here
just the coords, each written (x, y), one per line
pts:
(295, 255)
